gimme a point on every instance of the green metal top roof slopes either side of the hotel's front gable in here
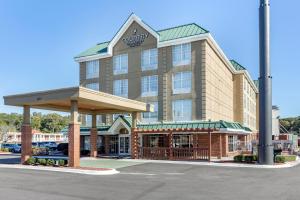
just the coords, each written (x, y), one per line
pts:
(182, 31)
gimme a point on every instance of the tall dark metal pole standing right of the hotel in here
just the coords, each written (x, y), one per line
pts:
(265, 152)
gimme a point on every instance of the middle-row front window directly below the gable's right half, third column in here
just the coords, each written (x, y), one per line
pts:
(149, 85)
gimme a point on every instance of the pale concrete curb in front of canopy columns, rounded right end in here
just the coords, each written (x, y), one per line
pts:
(66, 170)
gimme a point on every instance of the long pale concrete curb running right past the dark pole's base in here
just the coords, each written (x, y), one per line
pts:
(212, 164)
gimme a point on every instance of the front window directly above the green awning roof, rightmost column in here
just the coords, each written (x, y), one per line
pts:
(182, 110)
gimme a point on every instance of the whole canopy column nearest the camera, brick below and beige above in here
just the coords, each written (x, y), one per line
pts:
(74, 136)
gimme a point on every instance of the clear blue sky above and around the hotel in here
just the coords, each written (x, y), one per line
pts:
(38, 39)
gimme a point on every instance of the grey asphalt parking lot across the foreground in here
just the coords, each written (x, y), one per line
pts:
(153, 181)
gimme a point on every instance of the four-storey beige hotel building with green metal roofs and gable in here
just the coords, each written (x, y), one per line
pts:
(204, 104)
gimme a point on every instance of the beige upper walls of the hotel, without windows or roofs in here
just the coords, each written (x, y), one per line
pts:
(217, 90)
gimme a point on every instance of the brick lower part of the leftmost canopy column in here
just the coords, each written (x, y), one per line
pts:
(26, 140)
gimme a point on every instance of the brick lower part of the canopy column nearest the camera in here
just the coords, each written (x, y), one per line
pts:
(74, 145)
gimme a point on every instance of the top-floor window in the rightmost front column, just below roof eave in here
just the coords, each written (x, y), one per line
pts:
(181, 54)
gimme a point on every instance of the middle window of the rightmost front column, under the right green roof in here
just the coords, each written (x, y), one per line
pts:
(182, 82)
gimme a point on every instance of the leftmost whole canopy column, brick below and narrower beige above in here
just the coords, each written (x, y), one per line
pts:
(26, 135)
